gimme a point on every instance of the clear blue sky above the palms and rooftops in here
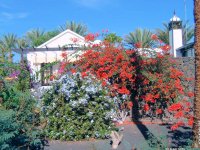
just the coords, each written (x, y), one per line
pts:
(119, 16)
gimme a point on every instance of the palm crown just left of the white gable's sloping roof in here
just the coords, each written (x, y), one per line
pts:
(33, 37)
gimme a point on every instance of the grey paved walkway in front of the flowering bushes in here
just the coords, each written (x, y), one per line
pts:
(139, 136)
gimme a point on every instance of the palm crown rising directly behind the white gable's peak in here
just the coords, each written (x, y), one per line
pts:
(79, 28)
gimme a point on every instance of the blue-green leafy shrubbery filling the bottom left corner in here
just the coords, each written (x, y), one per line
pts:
(18, 120)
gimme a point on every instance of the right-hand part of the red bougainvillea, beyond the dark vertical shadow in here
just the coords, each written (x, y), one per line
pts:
(160, 88)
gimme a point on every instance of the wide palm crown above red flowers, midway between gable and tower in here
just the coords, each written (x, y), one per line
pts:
(141, 36)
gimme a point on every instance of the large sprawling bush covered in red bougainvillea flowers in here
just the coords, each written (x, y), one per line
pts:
(149, 78)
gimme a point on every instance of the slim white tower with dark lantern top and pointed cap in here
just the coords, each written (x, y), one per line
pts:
(175, 35)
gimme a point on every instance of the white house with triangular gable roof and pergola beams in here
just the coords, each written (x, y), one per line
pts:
(50, 51)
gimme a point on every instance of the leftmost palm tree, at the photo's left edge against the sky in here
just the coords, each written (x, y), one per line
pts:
(8, 42)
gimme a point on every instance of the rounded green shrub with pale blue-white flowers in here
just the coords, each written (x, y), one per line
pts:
(78, 108)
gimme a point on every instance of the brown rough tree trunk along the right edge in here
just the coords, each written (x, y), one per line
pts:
(196, 126)
